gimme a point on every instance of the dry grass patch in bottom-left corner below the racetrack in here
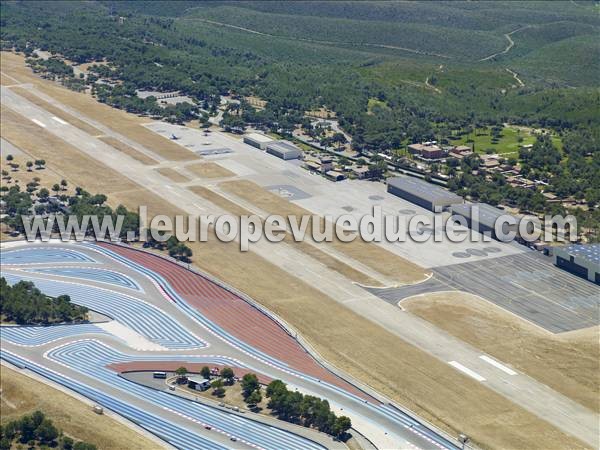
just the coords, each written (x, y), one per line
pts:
(23, 395)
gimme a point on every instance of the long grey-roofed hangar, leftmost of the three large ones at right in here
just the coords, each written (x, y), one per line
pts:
(422, 193)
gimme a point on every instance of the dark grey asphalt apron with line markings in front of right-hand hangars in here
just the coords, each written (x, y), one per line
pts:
(525, 284)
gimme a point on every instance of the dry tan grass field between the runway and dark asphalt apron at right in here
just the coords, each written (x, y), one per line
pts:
(568, 362)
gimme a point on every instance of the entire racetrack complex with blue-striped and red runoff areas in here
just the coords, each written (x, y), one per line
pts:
(157, 311)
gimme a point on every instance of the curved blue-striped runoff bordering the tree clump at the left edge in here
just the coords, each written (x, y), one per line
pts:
(142, 317)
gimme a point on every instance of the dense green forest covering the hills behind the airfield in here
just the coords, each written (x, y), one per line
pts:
(394, 73)
